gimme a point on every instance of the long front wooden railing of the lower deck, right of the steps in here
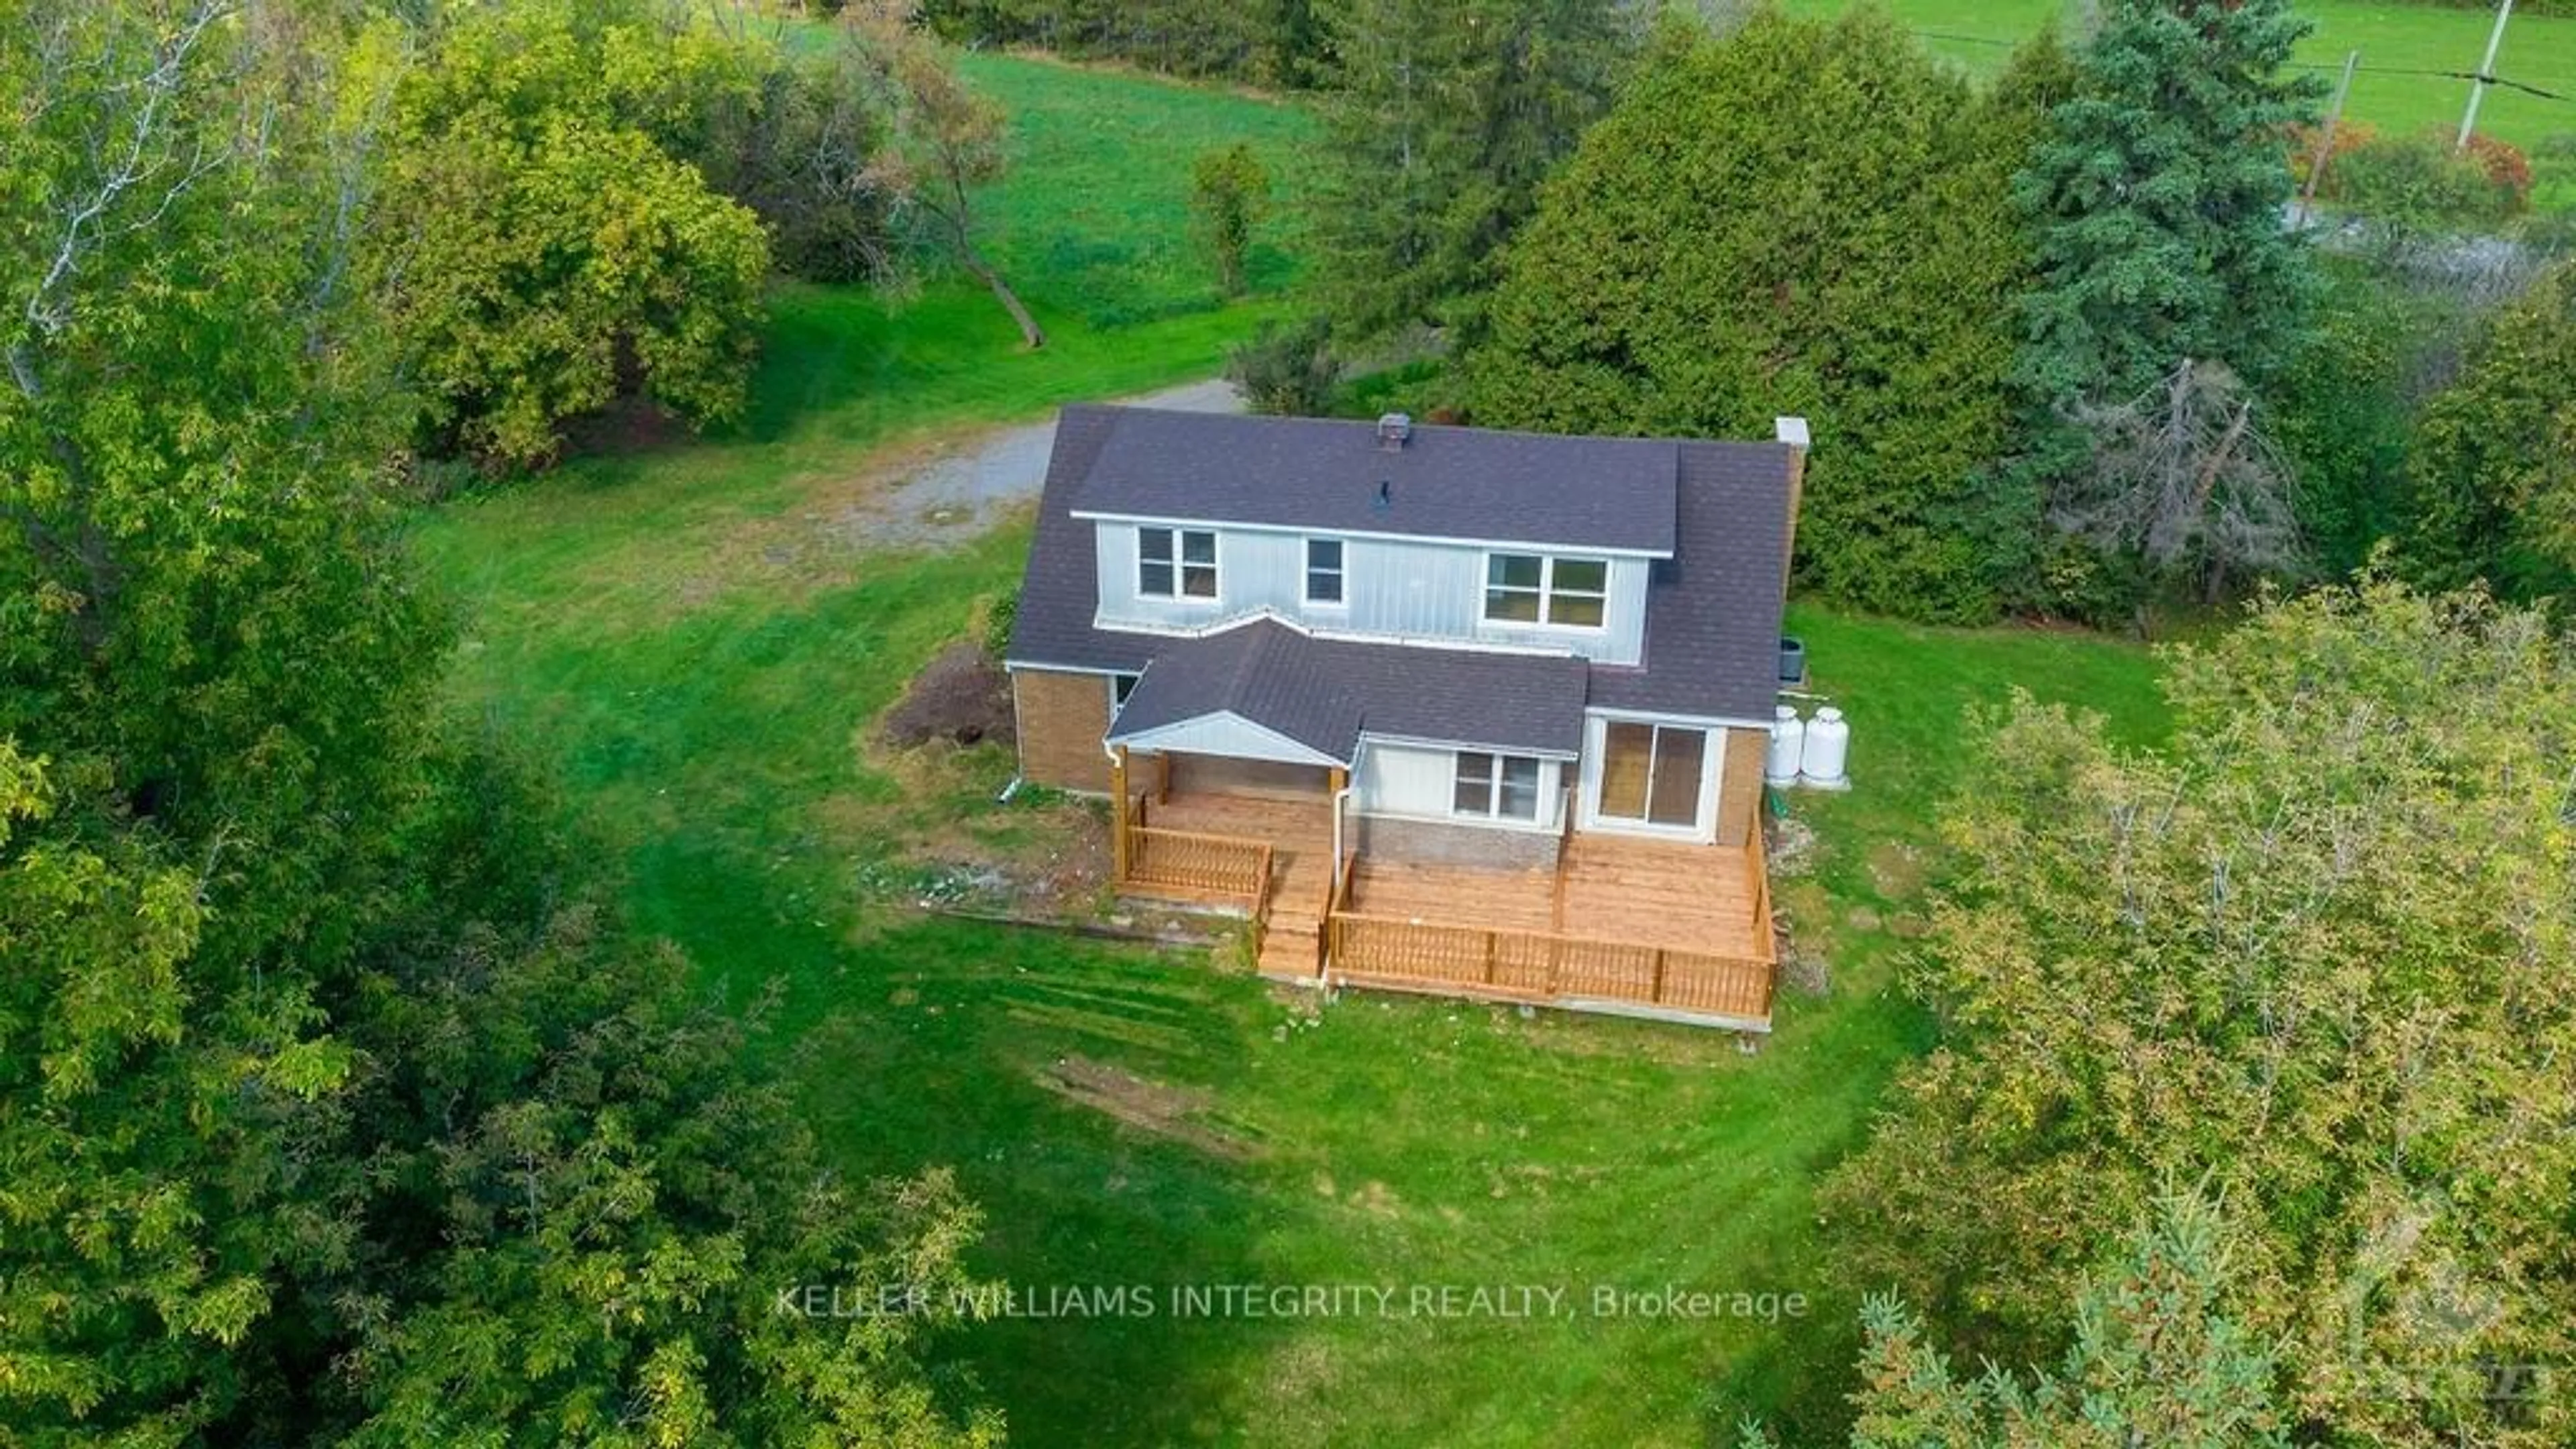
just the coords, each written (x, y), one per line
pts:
(1542, 966)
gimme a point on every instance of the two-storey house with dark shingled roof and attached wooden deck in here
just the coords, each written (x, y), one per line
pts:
(1439, 708)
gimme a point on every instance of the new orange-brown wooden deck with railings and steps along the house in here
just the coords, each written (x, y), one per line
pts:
(1624, 924)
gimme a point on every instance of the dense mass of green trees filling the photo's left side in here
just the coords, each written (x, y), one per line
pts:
(336, 1102)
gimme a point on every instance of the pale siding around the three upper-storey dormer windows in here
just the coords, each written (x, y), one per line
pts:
(1397, 589)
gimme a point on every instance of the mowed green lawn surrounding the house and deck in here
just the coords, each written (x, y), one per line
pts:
(694, 643)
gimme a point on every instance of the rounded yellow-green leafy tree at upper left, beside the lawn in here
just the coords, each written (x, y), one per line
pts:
(545, 254)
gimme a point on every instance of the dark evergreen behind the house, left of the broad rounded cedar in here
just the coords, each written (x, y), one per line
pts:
(1444, 120)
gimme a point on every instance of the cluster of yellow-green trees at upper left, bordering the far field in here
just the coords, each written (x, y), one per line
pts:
(565, 205)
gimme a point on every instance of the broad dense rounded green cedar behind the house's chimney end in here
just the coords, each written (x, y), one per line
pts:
(1802, 218)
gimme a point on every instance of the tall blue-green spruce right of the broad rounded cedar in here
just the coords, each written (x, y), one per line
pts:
(2157, 202)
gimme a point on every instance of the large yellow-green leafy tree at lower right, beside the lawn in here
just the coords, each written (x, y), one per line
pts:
(2315, 955)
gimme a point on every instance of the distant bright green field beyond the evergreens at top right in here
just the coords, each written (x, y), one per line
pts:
(2392, 40)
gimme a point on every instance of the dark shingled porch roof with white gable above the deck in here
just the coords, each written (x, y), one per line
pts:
(1292, 697)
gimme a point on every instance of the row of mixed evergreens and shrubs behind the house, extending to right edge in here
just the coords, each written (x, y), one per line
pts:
(2060, 339)
